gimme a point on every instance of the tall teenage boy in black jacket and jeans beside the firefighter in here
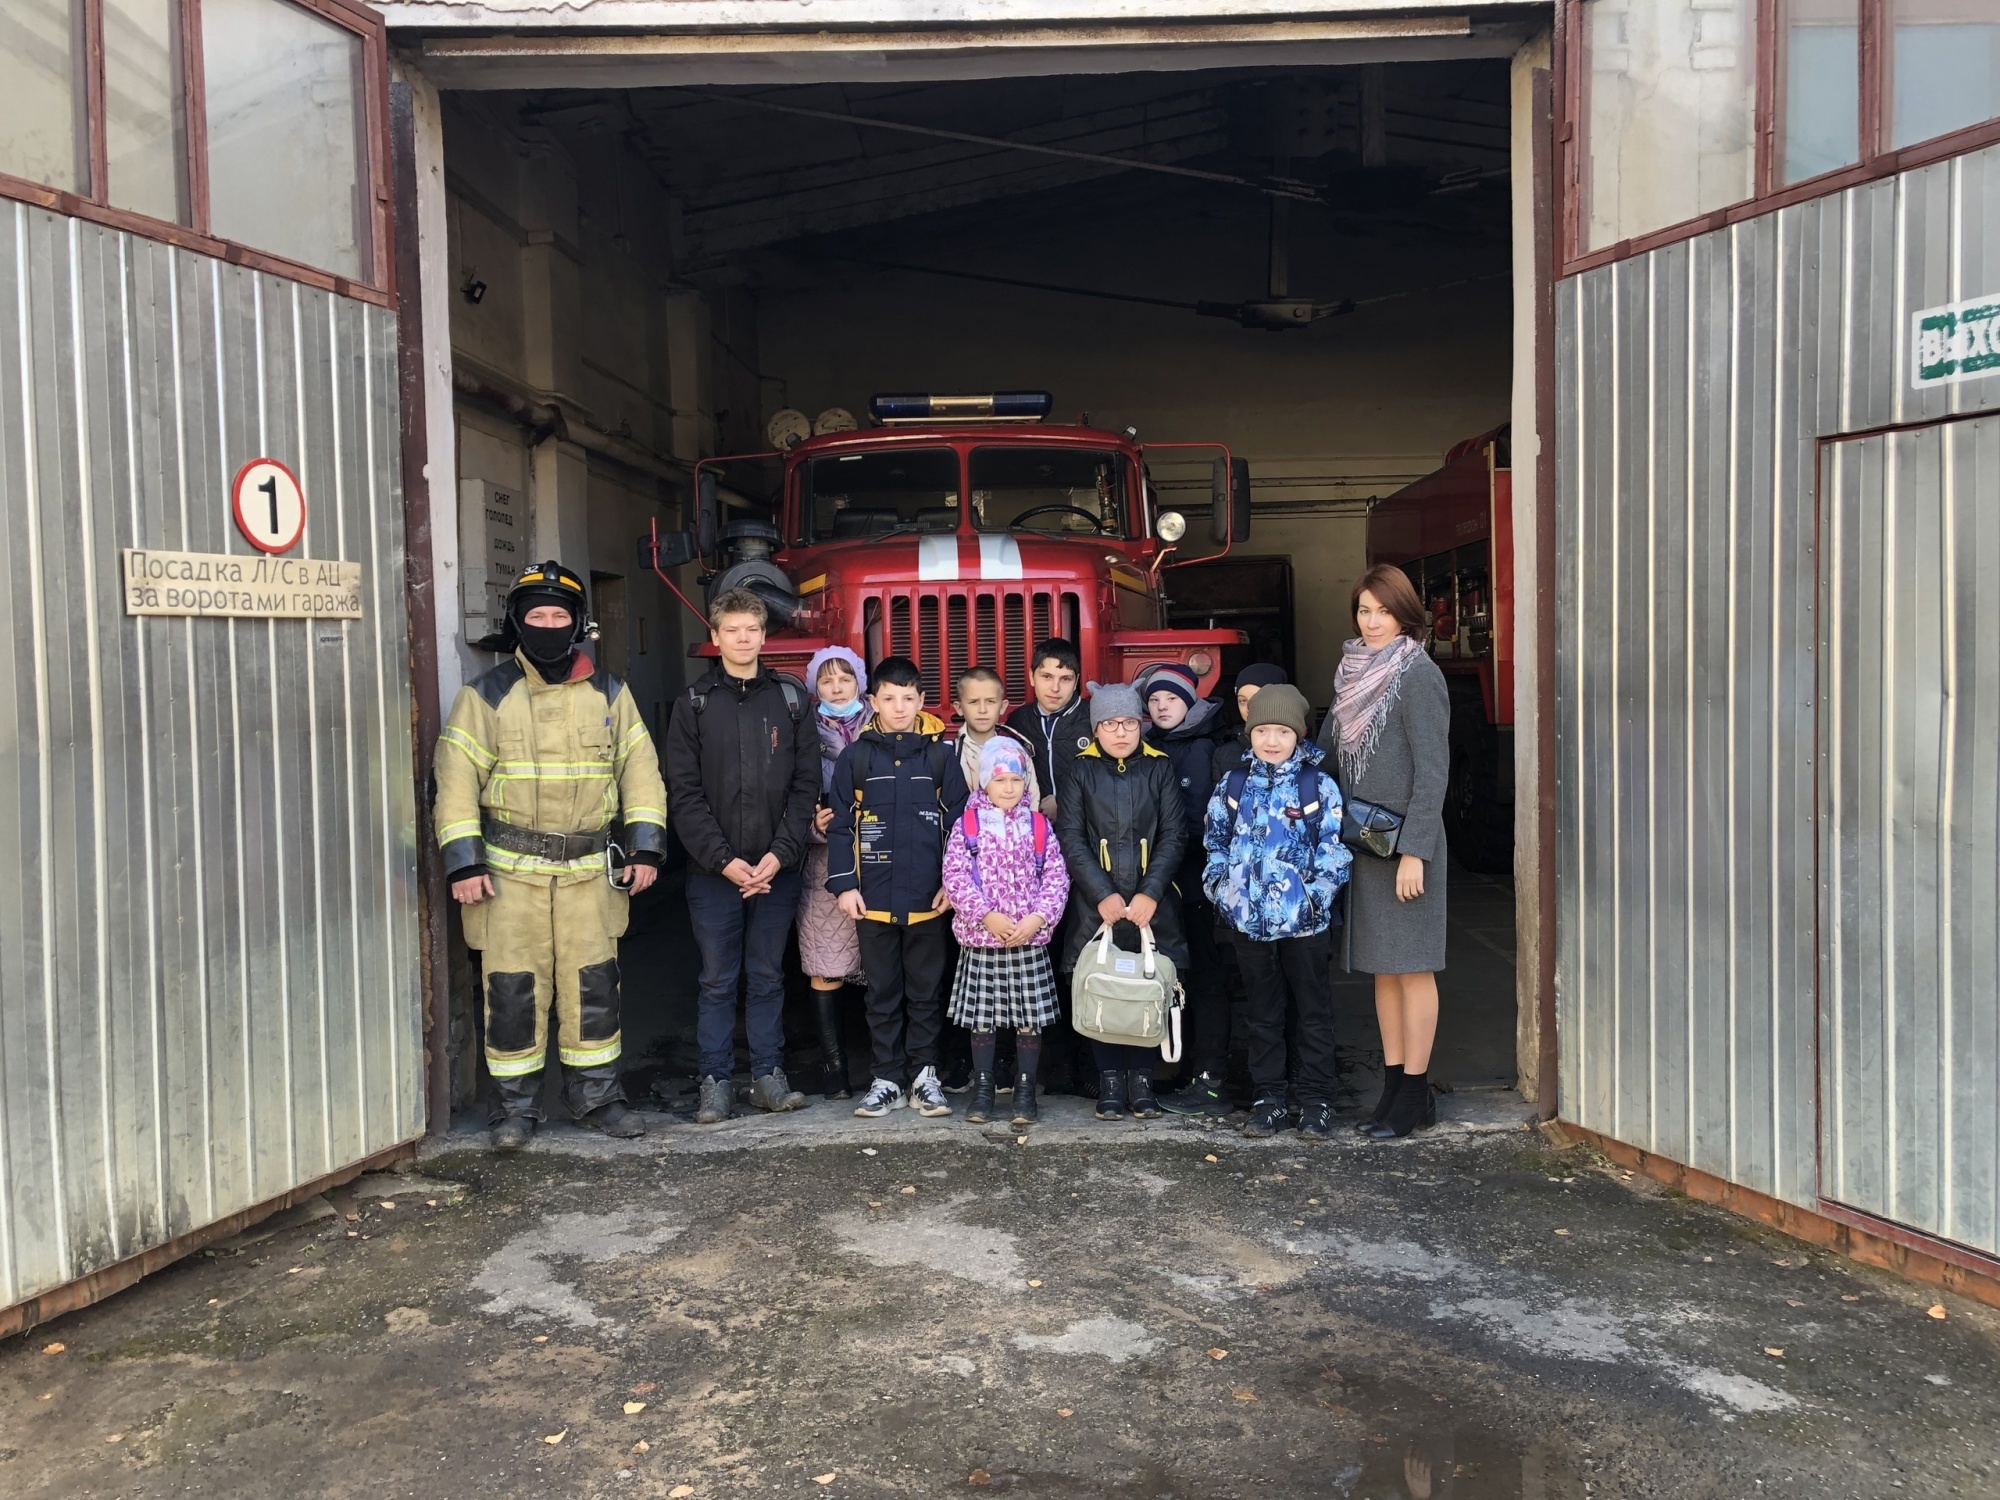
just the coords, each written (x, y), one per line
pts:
(743, 777)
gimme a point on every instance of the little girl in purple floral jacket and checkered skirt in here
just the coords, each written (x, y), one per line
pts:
(1007, 883)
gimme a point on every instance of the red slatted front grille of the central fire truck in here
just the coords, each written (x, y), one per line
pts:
(945, 631)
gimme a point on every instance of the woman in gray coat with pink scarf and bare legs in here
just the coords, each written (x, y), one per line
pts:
(1389, 735)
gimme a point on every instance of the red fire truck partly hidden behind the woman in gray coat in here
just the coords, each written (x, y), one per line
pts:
(1455, 535)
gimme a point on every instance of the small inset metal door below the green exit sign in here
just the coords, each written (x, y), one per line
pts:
(1911, 829)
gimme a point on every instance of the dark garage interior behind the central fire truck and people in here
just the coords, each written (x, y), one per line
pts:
(1309, 265)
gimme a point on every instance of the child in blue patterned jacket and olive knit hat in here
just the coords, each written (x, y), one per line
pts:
(1275, 869)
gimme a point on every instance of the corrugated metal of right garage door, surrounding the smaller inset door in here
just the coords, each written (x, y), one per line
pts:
(1695, 387)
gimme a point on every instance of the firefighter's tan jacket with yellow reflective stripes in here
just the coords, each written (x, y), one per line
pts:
(557, 757)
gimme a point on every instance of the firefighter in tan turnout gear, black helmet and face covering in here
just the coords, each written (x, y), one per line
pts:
(539, 763)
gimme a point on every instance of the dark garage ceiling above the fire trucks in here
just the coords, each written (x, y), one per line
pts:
(1415, 147)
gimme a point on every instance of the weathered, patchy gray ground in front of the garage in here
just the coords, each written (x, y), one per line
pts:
(835, 1307)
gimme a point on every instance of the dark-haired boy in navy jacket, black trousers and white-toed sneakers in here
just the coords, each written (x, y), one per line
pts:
(895, 795)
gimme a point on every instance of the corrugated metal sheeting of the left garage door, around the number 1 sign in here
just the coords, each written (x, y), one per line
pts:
(209, 973)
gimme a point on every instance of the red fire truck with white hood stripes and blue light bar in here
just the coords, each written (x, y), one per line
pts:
(959, 531)
